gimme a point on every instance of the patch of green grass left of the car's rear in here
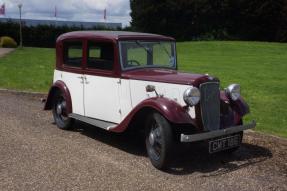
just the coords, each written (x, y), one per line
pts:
(29, 69)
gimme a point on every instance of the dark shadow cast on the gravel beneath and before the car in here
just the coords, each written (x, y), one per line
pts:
(188, 158)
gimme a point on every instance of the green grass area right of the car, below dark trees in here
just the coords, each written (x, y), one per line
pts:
(260, 69)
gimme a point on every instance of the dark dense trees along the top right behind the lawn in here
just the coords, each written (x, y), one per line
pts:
(264, 20)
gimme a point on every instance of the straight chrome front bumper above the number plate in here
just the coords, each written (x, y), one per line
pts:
(216, 133)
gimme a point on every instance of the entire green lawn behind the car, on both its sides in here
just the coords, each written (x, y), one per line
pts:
(260, 69)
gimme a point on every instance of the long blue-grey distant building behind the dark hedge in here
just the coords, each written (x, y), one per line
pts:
(85, 25)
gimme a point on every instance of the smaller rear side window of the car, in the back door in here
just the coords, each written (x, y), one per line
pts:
(73, 54)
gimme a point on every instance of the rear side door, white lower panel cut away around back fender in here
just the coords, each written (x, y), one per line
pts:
(72, 75)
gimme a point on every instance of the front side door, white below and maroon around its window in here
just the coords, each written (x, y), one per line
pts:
(101, 89)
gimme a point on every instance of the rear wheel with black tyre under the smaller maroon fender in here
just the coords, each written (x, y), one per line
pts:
(60, 113)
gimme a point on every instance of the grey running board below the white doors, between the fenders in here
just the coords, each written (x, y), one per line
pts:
(95, 122)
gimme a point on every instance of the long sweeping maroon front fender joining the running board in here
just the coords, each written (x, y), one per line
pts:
(170, 109)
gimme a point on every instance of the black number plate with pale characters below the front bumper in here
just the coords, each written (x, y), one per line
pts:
(224, 143)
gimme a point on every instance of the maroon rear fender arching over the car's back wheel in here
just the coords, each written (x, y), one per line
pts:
(59, 86)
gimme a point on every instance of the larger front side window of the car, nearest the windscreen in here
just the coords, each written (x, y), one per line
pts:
(100, 55)
